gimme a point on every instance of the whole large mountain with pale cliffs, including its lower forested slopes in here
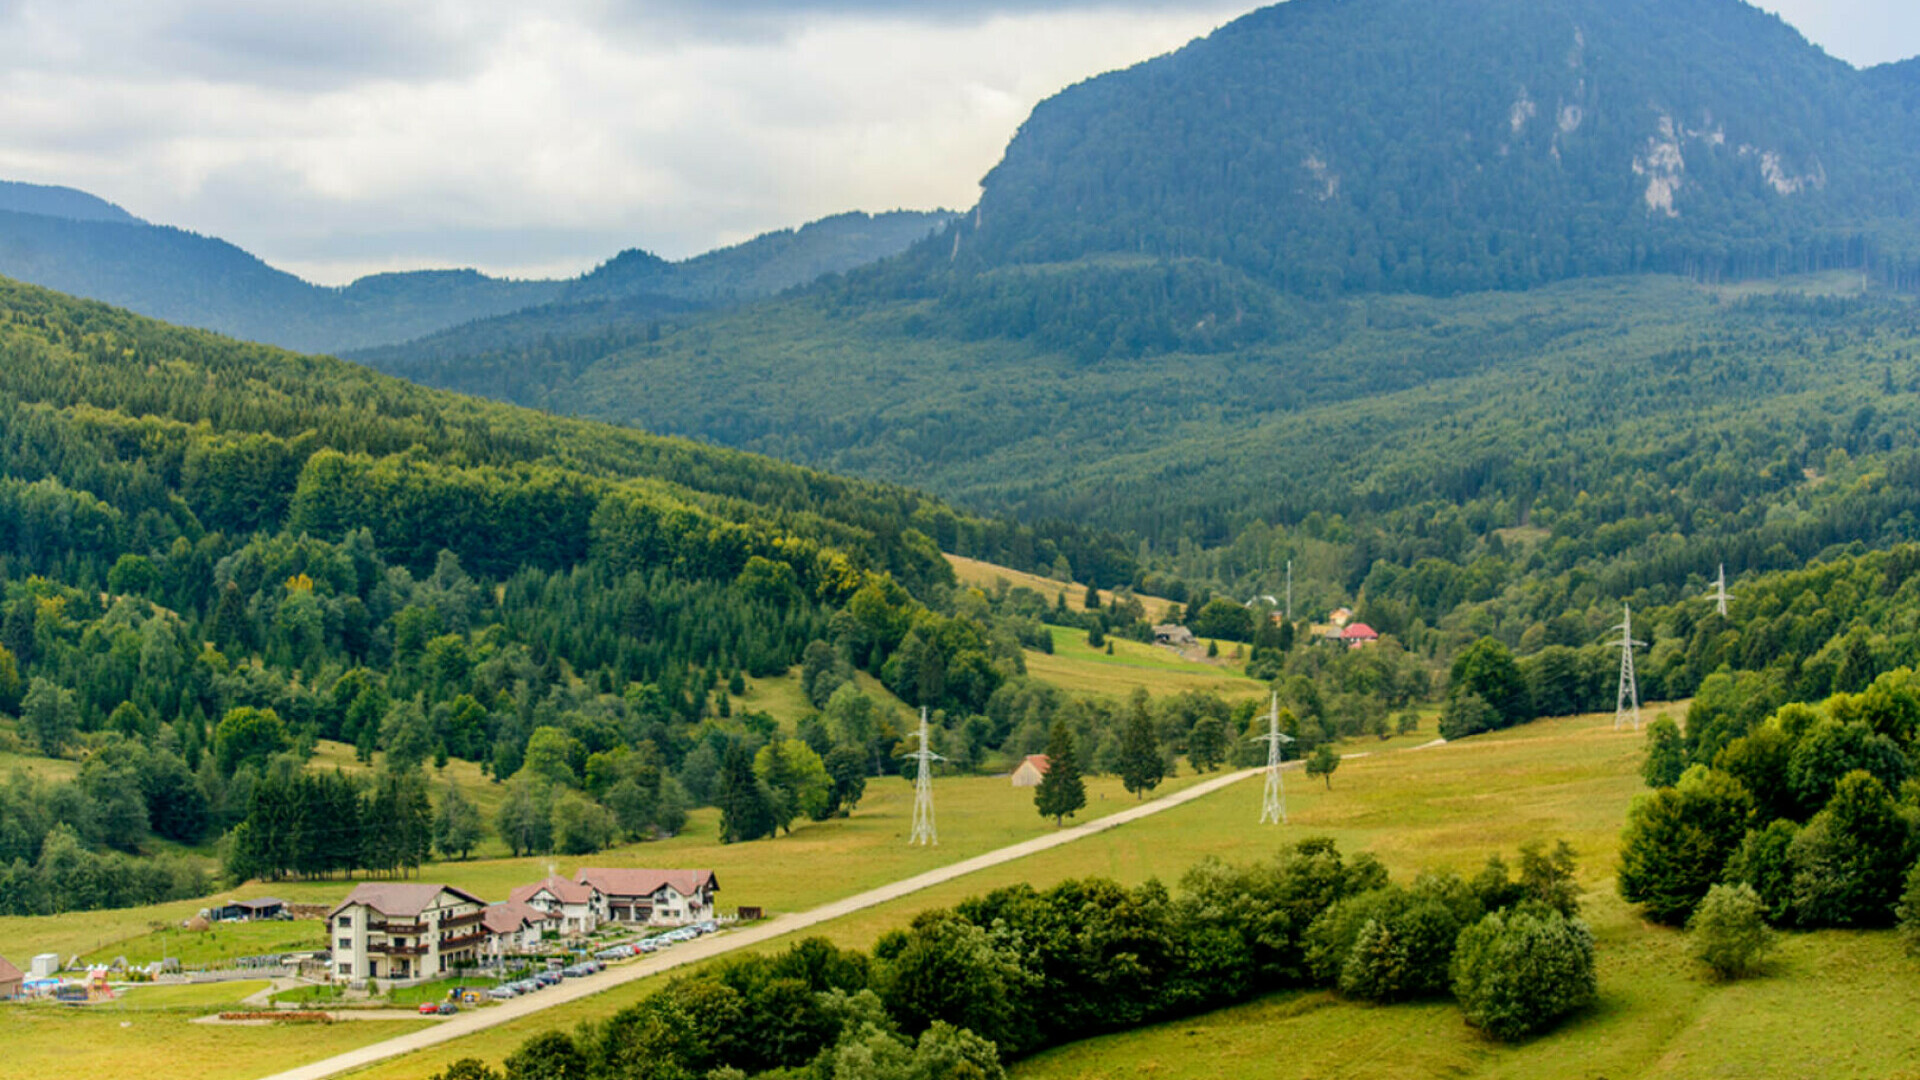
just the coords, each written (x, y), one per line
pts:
(1151, 326)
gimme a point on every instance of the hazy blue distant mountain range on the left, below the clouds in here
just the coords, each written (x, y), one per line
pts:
(85, 247)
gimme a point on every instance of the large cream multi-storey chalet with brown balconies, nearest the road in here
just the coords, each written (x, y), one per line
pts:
(406, 931)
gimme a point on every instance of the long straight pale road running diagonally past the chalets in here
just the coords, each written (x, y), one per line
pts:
(706, 948)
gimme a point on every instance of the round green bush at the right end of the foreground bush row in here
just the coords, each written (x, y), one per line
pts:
(1518, 973)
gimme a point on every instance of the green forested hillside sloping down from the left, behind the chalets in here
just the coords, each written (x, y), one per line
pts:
(216, 554)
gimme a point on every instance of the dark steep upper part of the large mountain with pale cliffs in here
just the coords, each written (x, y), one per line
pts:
(1452, 145)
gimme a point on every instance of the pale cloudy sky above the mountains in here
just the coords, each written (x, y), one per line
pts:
(343, 137)
